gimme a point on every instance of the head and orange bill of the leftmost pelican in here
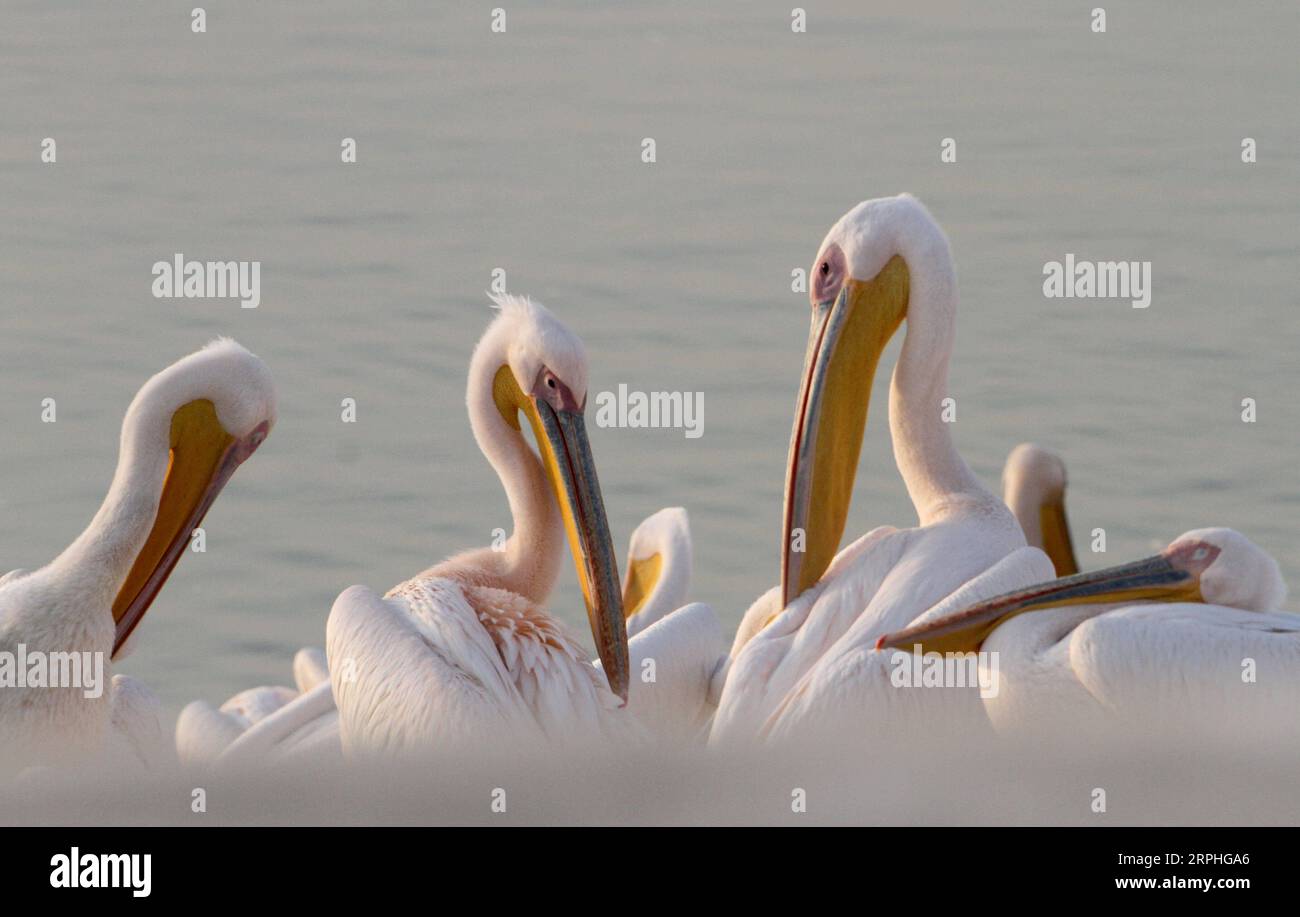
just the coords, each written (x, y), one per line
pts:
(184, 436)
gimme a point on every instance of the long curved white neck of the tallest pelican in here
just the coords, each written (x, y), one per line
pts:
(935, 474)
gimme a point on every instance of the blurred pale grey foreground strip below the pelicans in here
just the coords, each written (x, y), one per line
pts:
(973, 782)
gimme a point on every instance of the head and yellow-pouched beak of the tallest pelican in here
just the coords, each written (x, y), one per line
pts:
(860, 292)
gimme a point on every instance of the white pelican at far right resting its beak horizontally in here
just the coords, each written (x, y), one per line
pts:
(1189, 641)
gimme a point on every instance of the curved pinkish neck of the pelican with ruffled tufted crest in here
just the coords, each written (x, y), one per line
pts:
(531, 561)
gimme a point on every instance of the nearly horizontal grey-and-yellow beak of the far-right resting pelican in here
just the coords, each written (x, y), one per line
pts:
(1175, 576)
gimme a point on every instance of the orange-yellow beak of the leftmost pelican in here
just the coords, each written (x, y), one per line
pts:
(203, 457)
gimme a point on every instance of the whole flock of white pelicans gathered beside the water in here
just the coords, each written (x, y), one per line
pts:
(465, 652)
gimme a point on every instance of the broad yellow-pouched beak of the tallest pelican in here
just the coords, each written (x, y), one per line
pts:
(850, 332)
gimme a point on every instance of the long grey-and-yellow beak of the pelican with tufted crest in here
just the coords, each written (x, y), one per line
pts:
(567, 457)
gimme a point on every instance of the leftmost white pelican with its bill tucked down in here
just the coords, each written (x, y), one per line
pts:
(183, 439)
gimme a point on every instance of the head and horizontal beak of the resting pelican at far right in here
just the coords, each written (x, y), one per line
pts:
(1217, 566)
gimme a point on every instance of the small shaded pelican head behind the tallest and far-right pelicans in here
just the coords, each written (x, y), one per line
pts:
(1034, 487)
